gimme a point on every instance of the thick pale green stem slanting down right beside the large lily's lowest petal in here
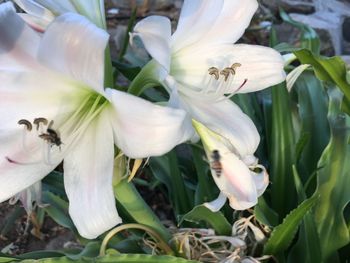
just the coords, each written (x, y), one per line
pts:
(133, 203)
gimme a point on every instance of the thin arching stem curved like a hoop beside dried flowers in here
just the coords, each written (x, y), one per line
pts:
(160, 242)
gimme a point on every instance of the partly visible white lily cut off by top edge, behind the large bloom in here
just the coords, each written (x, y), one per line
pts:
(40, 13)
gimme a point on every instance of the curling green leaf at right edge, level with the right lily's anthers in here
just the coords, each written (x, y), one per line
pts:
(328, 69)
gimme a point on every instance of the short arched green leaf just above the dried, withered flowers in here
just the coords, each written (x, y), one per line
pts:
(215, 219)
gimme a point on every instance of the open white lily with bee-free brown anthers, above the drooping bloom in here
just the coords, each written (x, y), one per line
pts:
(199, 65)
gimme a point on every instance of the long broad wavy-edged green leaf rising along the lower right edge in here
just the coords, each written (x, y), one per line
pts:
(334, 181)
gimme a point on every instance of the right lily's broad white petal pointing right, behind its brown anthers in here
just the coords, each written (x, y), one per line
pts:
(260, 68)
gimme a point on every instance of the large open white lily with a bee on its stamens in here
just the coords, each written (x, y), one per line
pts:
(53, 106)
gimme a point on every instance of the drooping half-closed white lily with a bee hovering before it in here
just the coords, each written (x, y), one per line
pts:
(238, 175)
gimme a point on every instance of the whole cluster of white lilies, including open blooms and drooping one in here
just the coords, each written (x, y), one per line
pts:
(54, 106)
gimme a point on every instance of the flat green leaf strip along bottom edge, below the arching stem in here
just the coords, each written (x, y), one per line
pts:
(137, 258)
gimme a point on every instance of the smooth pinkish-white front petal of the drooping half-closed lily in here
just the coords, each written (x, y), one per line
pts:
(236, 182)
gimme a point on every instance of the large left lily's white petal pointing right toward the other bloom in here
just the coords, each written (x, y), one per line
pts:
(142, 129)
